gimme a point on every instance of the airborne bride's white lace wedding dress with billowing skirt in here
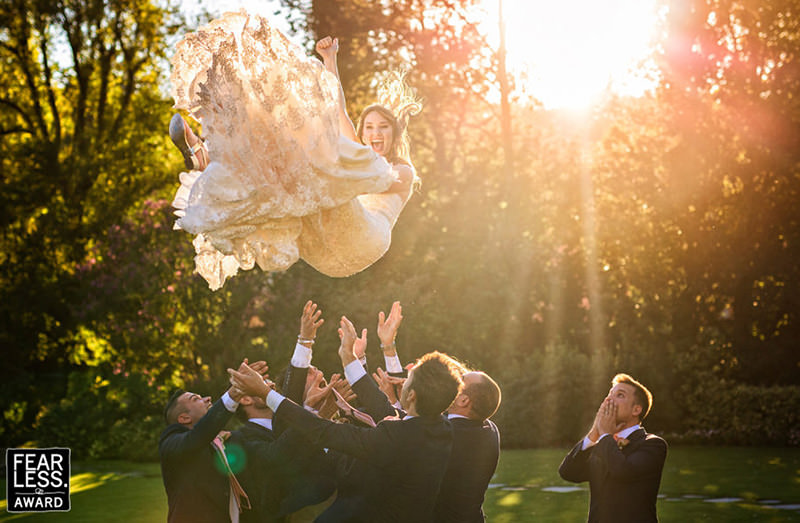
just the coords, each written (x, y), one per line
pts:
(282, 184)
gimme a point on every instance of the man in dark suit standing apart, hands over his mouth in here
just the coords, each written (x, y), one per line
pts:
(621, 462)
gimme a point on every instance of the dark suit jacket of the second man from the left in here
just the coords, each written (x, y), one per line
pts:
(281, 474)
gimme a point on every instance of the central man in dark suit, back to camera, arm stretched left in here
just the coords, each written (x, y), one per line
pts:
(409, 456)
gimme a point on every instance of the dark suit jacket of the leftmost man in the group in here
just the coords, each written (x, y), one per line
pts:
(197, 490)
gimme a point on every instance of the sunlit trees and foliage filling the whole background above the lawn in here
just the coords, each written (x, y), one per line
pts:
(655, 236)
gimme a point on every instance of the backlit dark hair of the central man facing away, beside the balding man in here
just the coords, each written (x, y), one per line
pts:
(436, 380)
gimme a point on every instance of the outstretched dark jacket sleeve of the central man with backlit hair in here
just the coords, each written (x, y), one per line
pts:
(364, 443)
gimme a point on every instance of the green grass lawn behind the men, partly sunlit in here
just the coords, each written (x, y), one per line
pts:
(693, 477)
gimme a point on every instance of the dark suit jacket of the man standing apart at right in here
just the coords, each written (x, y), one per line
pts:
(623, 483)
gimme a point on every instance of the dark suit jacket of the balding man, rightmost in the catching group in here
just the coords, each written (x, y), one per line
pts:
(476, 450)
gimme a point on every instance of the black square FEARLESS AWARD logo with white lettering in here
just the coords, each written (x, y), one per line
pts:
(37, 480)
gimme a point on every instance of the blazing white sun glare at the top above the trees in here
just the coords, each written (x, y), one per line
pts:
(566, 53)
